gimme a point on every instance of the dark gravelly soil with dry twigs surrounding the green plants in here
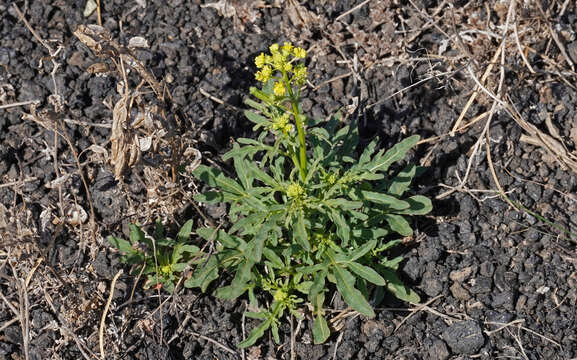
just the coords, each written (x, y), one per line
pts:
(495, 282)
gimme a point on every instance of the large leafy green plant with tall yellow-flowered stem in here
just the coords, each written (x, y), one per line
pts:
(307, 215)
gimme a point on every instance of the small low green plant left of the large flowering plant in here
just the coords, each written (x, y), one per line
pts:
(163, 259)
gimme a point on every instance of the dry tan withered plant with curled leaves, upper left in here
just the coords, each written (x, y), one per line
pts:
(137, 125)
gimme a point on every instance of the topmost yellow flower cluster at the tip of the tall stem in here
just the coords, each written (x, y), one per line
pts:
(281, 59)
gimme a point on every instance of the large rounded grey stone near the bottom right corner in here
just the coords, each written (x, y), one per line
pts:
(464, 337)
